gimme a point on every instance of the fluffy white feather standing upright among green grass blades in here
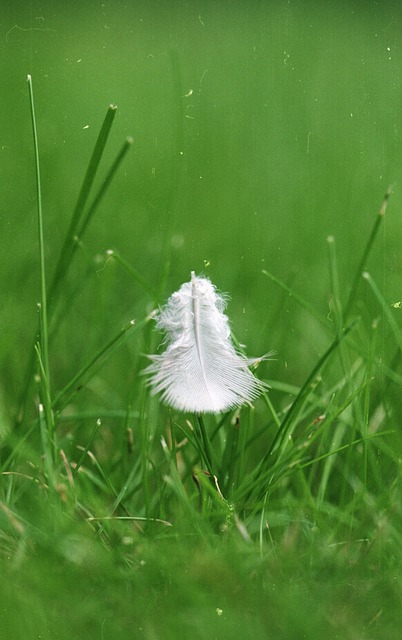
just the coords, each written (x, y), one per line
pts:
(200, 370)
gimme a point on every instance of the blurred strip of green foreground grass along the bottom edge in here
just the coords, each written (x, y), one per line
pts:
(167, 588)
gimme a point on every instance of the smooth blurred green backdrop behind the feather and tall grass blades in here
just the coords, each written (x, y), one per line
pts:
(259, 129)
